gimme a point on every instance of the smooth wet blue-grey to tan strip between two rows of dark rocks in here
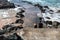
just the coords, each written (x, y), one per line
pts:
(30, 14)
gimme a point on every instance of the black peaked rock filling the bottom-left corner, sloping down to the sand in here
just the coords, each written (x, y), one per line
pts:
(14, 36)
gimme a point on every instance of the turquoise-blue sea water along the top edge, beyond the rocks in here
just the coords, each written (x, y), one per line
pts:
(52, 3)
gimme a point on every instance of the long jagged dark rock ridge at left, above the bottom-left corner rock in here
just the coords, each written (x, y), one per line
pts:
(9, 28)
